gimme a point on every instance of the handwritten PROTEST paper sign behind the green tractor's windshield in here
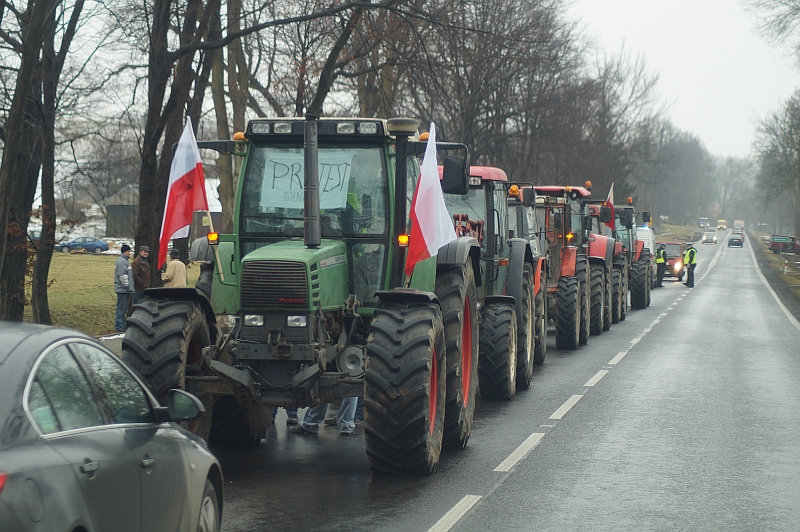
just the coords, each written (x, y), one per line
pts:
(282, 185)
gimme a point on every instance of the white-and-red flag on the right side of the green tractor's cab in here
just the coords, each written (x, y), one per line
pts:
(431, 225)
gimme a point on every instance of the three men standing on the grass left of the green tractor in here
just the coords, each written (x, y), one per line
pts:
(132, 279)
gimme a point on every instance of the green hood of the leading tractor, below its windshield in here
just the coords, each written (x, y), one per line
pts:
(287, 275)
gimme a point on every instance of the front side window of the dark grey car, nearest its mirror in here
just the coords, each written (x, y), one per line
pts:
(123, 394)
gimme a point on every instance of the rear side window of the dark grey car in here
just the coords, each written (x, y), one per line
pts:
(70, 395)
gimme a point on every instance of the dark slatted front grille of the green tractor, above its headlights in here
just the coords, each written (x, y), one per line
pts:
(269, 284)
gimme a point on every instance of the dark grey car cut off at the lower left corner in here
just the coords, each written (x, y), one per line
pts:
(85, 446)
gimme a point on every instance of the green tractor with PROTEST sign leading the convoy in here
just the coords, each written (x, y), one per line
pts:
(309, 302)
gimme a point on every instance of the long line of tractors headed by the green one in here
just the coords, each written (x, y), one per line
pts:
(309, 300)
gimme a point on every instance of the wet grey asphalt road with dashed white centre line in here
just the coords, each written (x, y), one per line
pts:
(686, 416)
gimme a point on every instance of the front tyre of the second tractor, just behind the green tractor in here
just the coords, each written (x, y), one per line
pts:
(497, 365)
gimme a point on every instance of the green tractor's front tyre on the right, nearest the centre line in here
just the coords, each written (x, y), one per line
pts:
(405, 395)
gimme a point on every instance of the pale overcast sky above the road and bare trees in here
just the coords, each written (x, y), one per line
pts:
(718, 75)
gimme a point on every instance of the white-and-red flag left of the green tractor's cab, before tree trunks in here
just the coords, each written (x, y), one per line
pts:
(186, 192)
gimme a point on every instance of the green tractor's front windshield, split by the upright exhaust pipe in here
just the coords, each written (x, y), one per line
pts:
(352, 188)
